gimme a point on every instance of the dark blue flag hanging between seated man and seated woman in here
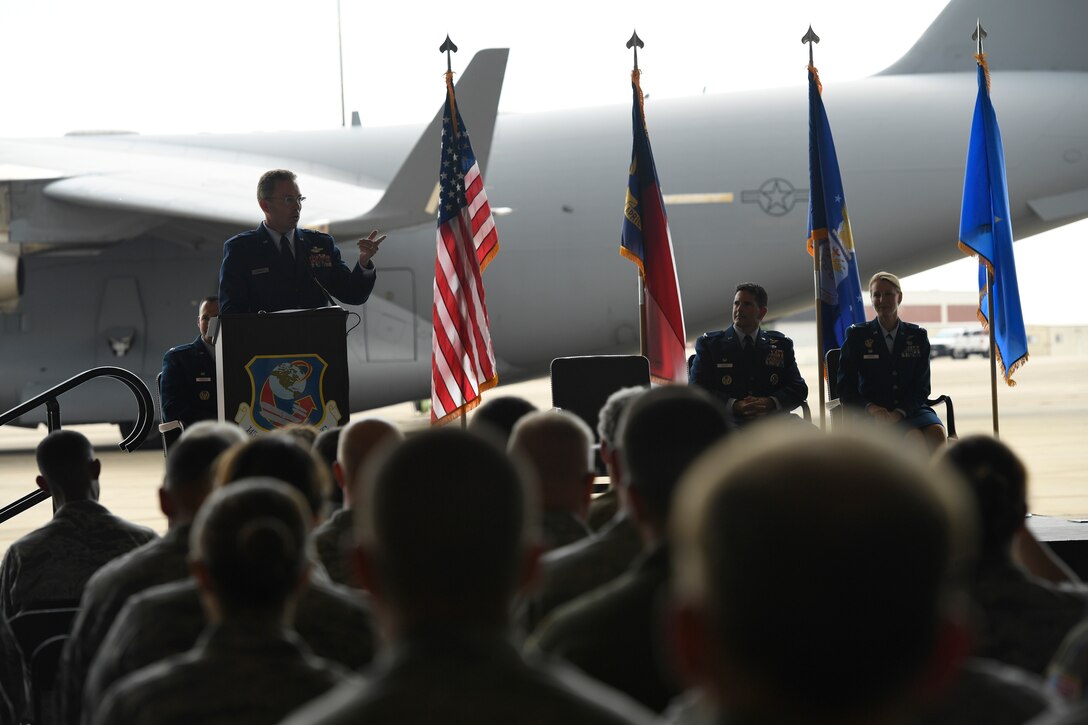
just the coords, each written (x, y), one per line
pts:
(840, 285)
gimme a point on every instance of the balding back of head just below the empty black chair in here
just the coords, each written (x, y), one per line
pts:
(560, 446)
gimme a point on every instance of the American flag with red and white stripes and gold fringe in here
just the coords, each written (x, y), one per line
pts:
(463, 361)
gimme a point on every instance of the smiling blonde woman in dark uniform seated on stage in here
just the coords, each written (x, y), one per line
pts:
(884, 371)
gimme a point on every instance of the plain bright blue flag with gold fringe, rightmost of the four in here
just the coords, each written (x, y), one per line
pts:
(986, 231)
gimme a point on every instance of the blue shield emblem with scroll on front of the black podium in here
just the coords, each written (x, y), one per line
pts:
(287, 390)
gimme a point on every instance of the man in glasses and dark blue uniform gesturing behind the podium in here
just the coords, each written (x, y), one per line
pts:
(279, 266)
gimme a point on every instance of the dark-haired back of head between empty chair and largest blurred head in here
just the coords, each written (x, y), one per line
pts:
(661, 434)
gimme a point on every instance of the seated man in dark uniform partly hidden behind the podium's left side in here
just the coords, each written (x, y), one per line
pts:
(189, 374)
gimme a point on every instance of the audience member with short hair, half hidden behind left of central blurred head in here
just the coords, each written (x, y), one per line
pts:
(332, 538)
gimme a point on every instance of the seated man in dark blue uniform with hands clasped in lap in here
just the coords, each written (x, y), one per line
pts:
(753, 372)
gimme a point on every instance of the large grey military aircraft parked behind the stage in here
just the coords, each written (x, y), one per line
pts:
(109, 240)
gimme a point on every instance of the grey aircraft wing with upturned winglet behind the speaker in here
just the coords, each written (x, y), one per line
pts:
(145, 180)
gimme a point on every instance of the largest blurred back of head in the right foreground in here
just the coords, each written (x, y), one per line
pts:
(824, 566)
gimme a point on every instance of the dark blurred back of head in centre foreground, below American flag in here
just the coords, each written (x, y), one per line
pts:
(448, 518)
